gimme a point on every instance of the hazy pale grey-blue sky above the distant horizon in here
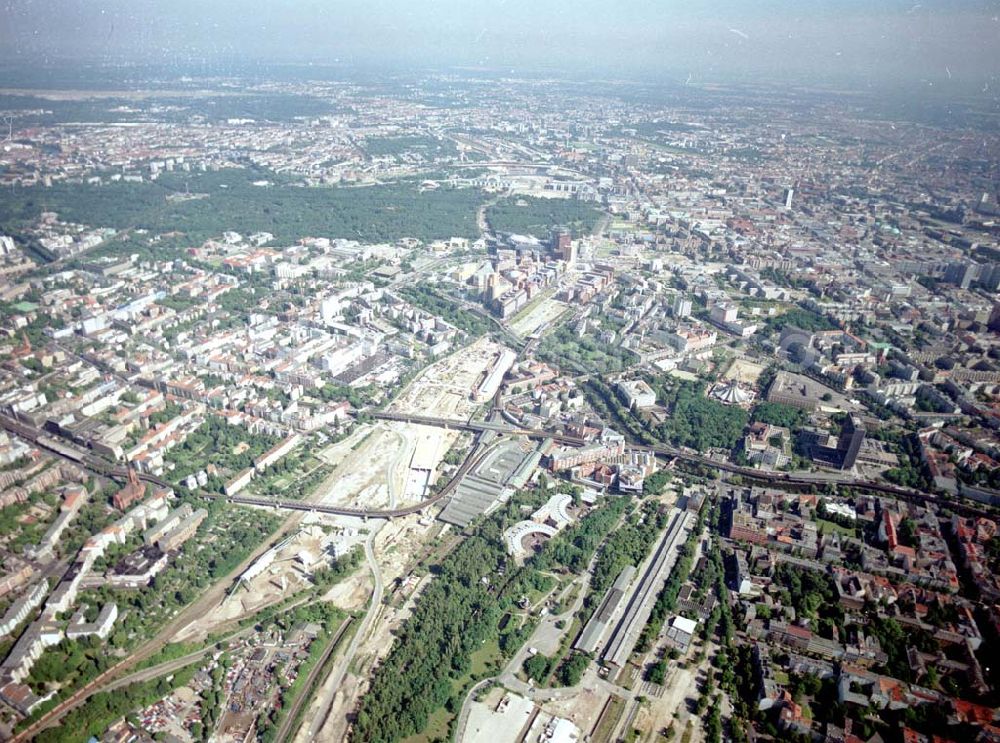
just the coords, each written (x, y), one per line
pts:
(944, 42)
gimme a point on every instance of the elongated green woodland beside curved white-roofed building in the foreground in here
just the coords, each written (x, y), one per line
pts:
(472, 600)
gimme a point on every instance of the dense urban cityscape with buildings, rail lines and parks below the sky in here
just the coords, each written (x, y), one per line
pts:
(490, 407)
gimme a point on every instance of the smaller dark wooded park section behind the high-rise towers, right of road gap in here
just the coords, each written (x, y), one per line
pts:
(526, 215)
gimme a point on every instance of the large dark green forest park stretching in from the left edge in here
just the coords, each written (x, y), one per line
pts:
(375, 213)
